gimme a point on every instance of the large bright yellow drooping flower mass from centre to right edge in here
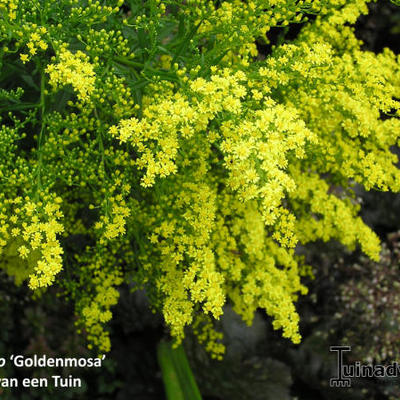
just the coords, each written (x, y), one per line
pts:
(263, 148)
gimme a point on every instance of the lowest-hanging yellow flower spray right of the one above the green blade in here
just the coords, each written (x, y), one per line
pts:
(256, 278)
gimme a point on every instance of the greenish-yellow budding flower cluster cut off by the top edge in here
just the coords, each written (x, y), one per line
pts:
(236, 25)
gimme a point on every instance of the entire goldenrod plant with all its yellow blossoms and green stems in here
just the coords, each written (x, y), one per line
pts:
(163, 151)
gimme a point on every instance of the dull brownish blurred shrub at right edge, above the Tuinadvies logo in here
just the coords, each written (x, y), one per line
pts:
(369, 299)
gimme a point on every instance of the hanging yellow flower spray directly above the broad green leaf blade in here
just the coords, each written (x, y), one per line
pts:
(188, 239)
